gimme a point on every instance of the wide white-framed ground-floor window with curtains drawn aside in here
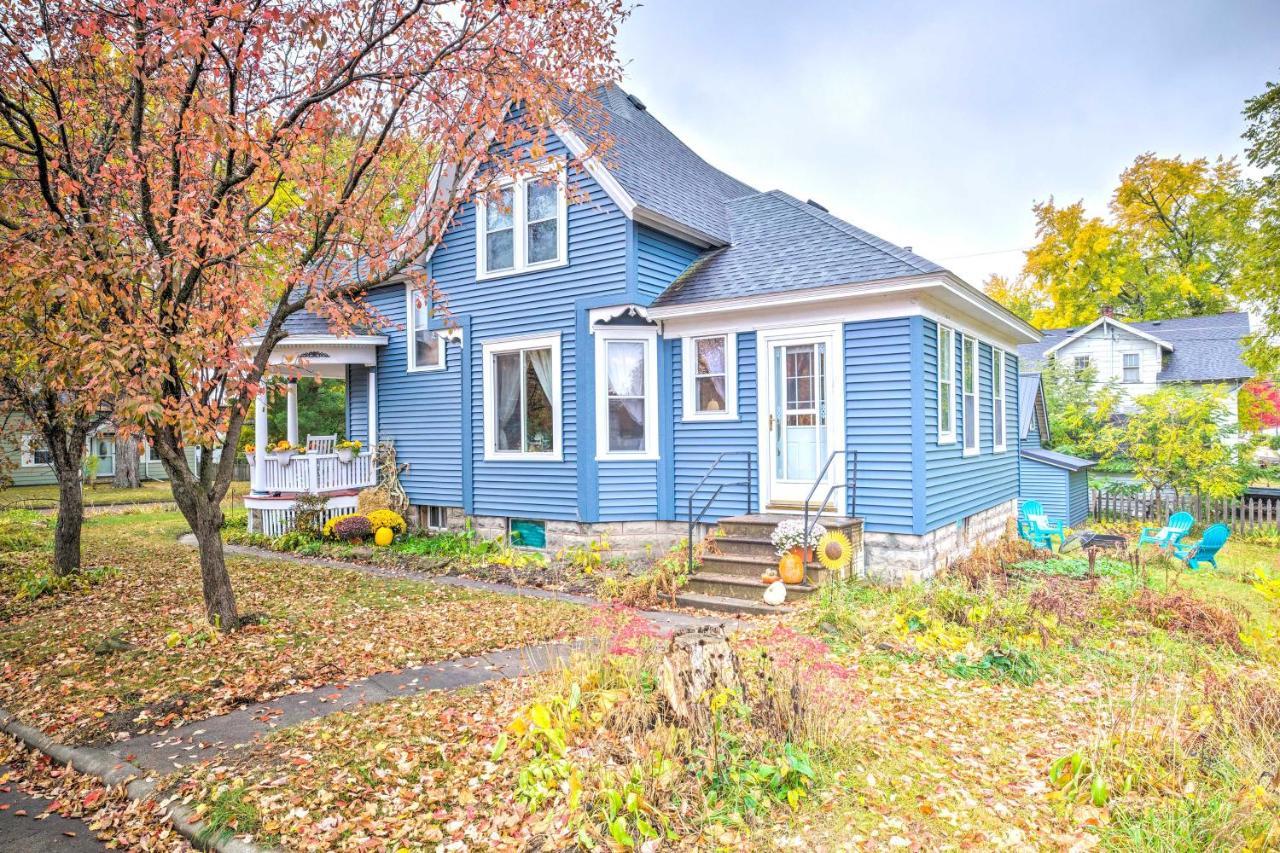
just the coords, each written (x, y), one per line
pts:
(523, 399)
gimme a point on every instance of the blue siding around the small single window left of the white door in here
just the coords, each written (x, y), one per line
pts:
(698, 444)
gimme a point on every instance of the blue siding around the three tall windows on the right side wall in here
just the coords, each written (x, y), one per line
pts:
(958, 486)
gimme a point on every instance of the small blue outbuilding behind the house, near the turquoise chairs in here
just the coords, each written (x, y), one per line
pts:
(1058, 481)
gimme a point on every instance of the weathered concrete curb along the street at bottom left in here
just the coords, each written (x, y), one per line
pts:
(115, 772)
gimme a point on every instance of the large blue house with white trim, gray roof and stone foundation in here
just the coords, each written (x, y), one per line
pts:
(602, 357)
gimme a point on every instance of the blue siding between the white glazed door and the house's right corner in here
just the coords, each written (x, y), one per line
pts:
(879, 421)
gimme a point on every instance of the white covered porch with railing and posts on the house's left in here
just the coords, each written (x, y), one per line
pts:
(319, 468)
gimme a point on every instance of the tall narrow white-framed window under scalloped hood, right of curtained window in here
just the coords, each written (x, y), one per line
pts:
(627, 382)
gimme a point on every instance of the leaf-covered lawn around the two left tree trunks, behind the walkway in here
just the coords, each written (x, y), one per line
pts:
(129, 649)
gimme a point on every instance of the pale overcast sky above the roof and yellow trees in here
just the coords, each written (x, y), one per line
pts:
(938, 125)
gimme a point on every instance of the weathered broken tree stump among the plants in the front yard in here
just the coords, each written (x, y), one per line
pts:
(698, 662)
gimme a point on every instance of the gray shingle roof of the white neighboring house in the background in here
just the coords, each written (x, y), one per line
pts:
(1206, 349)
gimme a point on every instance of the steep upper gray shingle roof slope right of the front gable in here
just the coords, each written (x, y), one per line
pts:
(660, 172)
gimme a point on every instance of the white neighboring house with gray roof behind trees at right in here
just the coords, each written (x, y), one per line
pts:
(1142, 357)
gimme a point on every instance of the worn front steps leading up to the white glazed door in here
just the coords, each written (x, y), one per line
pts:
(730, 581)
